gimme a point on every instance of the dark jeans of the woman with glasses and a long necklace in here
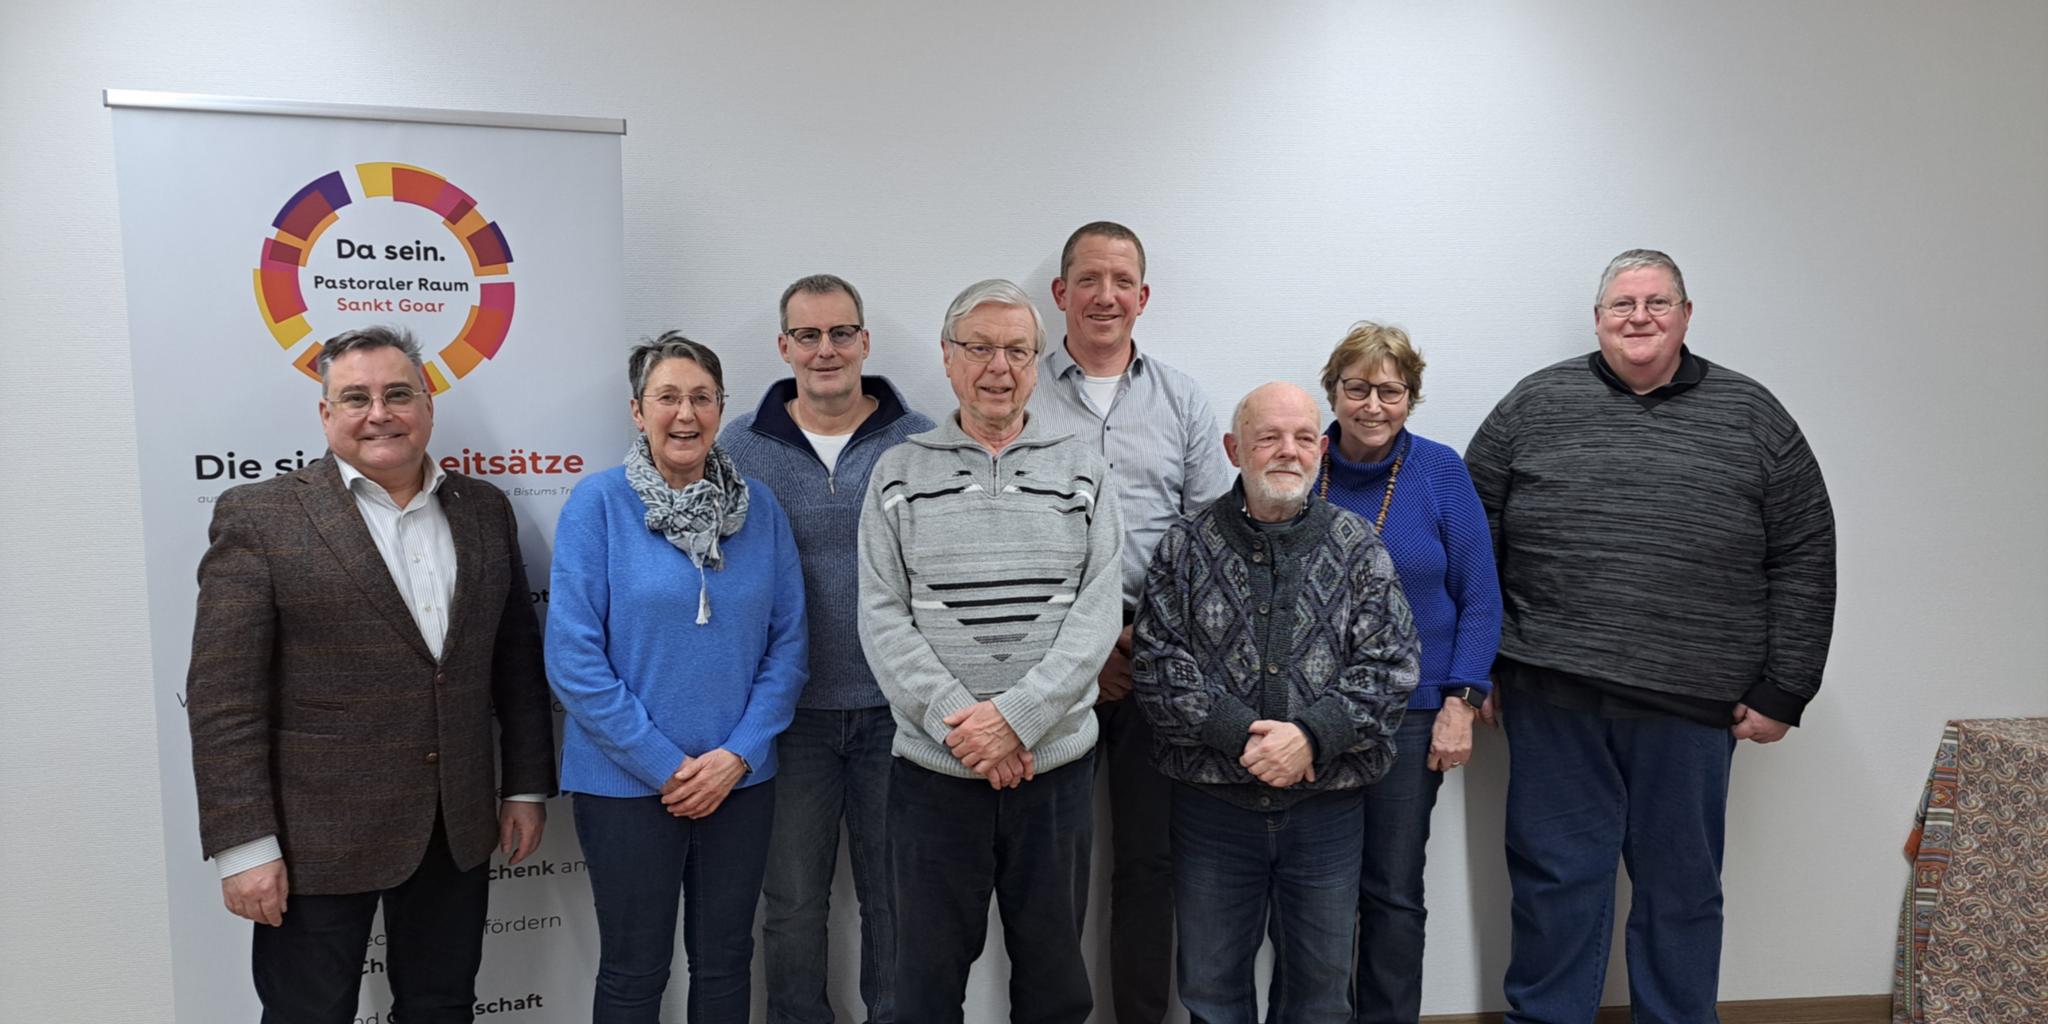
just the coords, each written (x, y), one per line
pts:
(1388, 986)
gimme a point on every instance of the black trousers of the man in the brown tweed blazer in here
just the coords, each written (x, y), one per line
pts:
(310, 970)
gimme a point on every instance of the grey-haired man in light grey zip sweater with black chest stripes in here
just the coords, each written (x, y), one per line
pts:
(990, 599)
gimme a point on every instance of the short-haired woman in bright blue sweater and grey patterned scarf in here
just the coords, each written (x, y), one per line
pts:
(677, 644)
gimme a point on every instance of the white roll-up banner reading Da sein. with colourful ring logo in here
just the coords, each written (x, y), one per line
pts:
(253, 230)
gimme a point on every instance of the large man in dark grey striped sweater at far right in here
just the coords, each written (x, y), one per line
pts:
(1668, 562)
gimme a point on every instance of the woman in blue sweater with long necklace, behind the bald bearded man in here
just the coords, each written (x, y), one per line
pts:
(1418, 495)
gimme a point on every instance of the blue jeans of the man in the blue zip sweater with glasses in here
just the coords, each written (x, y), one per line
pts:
(830, 765)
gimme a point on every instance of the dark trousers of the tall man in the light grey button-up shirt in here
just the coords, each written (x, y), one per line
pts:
(1142, 865)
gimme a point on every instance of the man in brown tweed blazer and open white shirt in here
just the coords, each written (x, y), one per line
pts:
(361, 622)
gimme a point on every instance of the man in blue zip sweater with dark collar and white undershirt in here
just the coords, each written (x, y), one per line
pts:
(814, 441)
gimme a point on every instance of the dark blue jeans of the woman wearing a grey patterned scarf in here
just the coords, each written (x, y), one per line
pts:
(642, 867)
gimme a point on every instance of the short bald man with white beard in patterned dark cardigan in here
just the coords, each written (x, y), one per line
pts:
(1275, 658)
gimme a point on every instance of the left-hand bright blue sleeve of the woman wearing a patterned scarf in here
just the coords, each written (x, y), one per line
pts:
(579, 663)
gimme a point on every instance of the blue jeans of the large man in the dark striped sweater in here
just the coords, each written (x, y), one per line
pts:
(1582, 796)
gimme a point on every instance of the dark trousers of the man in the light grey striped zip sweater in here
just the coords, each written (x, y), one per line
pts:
(953, 845)
